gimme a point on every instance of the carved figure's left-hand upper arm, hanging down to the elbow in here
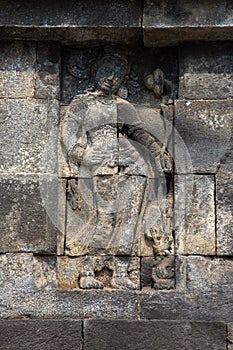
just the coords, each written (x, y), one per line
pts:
(73, 137)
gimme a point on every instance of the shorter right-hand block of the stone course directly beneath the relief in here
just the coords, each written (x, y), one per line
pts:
(205, 306)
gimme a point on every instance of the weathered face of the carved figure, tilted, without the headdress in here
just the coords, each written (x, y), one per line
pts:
(111, 74)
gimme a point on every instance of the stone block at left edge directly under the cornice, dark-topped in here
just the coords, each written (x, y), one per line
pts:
(17, 69)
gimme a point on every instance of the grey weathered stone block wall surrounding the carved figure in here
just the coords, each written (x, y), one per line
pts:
(41, 301)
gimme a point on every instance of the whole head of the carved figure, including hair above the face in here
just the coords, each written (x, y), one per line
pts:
(112, 69)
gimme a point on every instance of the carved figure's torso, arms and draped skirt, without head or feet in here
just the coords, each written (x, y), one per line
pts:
(117, 184)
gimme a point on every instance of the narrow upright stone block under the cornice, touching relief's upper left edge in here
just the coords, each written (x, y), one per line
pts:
(48, 71)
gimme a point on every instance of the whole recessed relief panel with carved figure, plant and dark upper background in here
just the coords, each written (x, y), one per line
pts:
(116, 150)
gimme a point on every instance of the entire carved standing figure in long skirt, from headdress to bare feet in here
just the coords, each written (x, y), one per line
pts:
(120, 177)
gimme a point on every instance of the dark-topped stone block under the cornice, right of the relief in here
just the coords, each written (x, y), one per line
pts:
(206, 71)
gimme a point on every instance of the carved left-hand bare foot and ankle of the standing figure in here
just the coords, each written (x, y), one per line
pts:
(87, 276)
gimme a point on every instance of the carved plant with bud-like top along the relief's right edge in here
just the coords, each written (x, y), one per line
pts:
(163, 263)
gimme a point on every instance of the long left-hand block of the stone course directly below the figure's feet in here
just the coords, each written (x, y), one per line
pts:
(68, 304)
